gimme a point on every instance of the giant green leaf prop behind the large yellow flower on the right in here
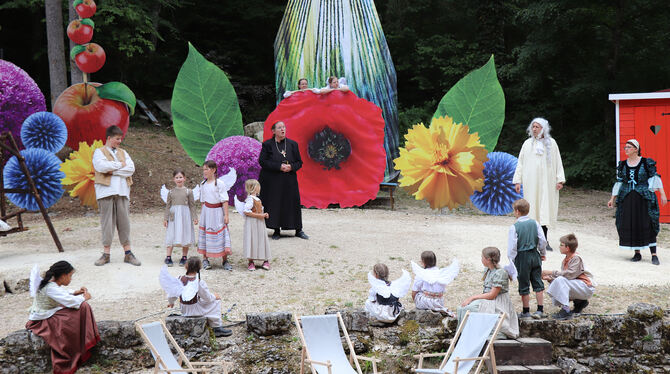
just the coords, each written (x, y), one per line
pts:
(477, 100)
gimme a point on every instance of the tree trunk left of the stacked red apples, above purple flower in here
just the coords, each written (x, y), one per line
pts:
(55, 48)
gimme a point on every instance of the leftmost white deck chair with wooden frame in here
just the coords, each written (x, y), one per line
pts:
(191, 367)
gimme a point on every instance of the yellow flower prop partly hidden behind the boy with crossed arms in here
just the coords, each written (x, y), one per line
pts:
(79, 174)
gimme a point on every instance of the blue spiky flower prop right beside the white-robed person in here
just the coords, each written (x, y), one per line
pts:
(498, 194)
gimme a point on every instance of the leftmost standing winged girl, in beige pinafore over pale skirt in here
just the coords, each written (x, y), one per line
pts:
(179, 217)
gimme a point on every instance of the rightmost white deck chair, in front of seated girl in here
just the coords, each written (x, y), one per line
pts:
(467, 344)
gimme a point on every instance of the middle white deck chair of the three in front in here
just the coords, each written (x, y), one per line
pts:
(322, 346)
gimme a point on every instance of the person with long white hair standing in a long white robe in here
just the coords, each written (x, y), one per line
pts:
(540, 171)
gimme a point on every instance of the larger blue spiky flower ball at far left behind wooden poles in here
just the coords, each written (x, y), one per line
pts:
(44, 169)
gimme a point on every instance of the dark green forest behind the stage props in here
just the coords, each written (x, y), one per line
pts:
(558, 59)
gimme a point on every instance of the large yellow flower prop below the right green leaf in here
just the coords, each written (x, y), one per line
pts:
(443, 164)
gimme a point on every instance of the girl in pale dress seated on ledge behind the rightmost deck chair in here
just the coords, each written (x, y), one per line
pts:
(495, 295)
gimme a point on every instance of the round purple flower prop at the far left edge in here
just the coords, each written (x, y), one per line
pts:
(19, 98)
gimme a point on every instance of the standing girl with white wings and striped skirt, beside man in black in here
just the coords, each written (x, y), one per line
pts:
(213, 235)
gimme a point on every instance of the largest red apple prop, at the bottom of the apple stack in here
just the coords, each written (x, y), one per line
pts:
(87, 115)
